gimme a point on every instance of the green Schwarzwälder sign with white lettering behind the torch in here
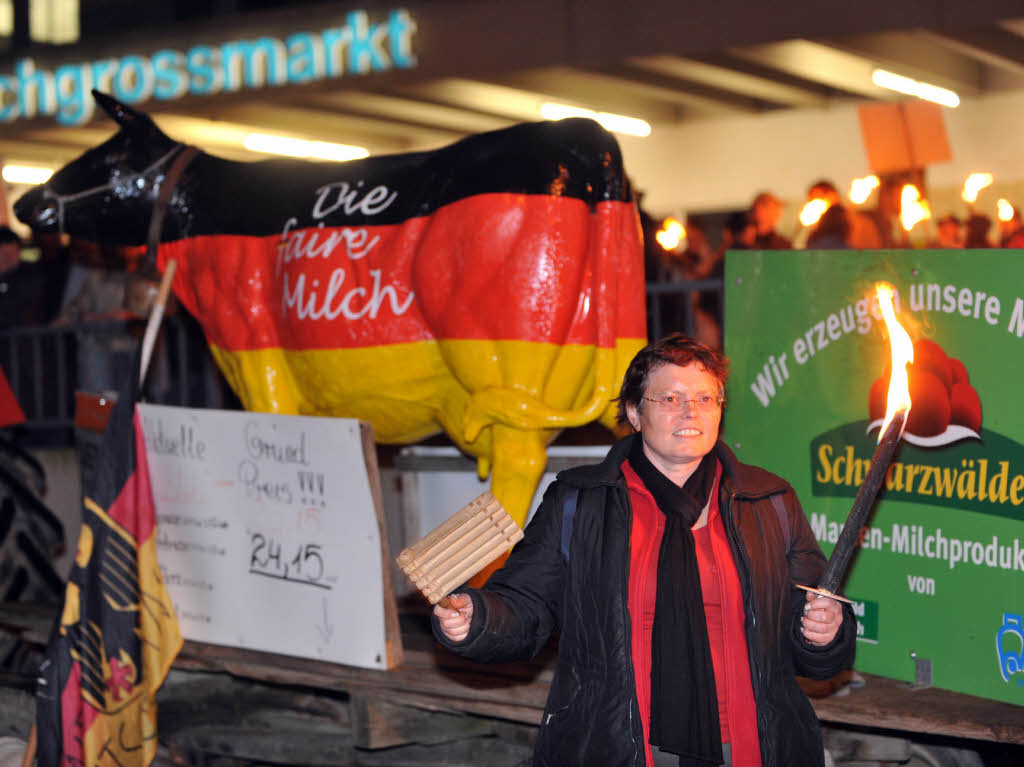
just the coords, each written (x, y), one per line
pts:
(940, 571)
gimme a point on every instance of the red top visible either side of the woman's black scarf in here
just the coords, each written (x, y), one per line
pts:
(723, 612)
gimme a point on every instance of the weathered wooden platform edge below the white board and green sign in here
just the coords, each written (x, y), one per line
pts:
(436, 680)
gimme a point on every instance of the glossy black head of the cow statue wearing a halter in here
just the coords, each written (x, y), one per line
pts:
(107, 194)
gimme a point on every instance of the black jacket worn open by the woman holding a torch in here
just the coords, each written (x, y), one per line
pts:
(571, 574)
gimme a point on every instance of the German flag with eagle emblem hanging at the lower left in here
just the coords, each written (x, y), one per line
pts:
(118, 634)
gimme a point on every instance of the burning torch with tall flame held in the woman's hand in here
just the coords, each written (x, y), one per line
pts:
(898, 410)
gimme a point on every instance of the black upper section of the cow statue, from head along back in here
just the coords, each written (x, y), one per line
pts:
(107, 195)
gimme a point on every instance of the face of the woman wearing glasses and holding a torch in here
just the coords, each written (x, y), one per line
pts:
(675, 439)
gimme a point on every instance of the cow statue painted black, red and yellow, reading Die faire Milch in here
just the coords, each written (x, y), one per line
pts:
(493, 288)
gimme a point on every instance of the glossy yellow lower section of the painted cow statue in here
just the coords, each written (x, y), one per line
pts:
(492, 398)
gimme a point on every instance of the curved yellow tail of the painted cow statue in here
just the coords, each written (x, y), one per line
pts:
(520, 410)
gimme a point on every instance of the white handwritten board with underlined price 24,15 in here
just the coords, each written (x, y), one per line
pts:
(269, 533)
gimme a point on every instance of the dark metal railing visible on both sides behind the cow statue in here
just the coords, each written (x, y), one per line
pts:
(47, 365)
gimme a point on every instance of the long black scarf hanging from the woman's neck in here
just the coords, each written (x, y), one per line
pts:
(684, 701)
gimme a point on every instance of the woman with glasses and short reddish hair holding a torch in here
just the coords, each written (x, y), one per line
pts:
(669, 571)
